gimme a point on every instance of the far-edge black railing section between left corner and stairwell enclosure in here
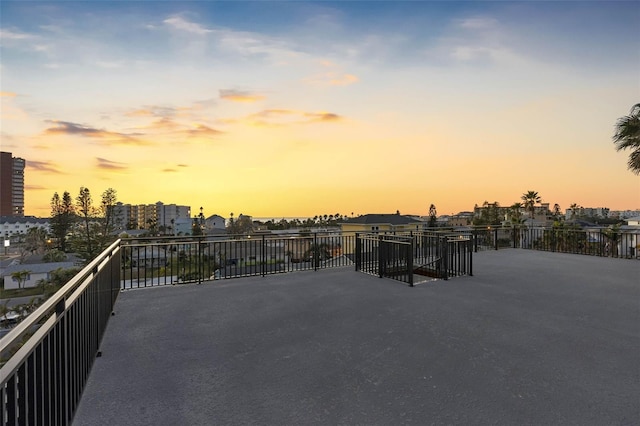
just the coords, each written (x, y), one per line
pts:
(196, 259)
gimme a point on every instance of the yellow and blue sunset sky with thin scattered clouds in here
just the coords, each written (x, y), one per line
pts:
(298, 108)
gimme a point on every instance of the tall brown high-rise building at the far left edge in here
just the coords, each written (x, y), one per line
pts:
(11, 185)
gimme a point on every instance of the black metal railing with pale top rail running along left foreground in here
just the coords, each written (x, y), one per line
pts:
(47, 357)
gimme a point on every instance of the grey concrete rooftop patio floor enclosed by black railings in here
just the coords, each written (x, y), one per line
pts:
(533, 338)
